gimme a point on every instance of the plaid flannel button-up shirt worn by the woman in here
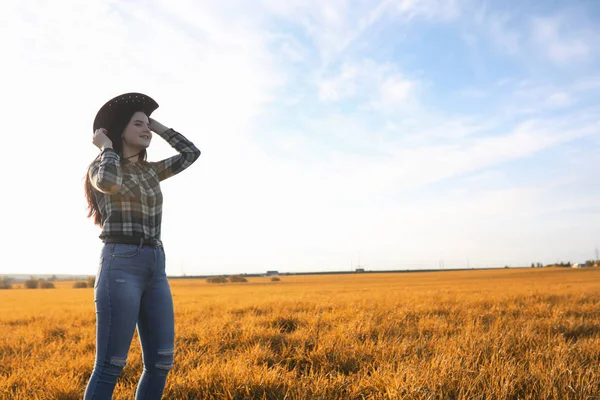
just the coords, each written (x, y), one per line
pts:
(129, 195)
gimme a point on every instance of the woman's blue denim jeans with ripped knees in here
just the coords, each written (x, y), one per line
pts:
(132, 289)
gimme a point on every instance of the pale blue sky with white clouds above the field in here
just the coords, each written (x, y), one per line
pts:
(385, 134)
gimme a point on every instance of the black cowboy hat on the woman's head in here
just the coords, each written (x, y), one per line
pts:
(123, 104)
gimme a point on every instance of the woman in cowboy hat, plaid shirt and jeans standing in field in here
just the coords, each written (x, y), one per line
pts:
(131, 287)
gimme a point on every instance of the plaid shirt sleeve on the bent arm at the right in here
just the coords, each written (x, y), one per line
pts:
(188, 153)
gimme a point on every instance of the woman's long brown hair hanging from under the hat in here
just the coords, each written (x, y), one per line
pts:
(115, 132)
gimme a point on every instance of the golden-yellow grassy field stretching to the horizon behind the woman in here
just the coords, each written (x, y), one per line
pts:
(503, 334)
